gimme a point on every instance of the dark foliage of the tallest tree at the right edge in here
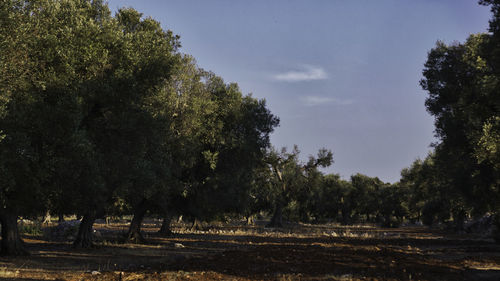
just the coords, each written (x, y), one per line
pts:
(463, 82)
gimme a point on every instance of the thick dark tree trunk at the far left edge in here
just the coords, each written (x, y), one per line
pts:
(11, 244)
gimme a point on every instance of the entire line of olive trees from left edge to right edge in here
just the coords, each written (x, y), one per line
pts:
(101, 114)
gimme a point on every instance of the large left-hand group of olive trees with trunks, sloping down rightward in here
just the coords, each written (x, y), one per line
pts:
(99, 109)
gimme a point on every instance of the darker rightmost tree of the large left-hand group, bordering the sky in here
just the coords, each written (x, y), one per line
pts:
(233, 147)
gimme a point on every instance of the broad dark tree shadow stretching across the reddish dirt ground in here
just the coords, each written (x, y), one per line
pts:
(264, 257)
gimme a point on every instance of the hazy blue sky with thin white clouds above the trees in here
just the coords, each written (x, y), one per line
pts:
(340, 74)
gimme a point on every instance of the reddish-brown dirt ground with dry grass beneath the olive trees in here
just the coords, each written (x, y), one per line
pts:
(238, 252)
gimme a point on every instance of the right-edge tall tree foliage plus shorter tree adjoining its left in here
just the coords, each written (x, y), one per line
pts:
(461, 177)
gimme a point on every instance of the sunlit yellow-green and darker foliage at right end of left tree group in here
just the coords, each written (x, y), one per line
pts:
(219, 138)
